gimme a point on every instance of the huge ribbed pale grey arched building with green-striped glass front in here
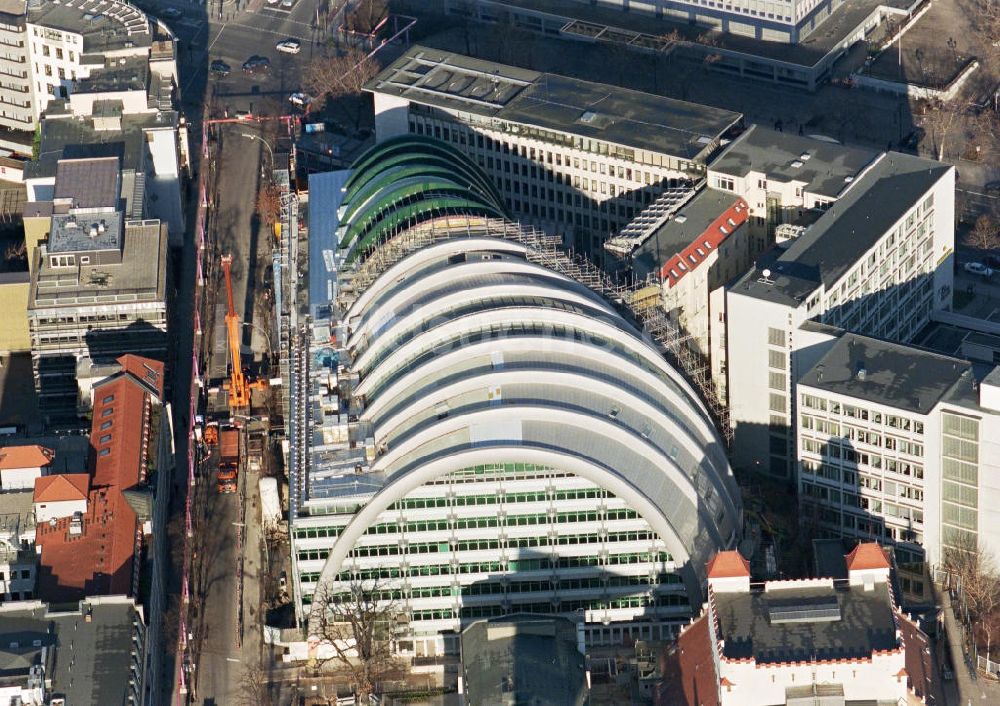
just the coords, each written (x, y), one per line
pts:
(519, 446)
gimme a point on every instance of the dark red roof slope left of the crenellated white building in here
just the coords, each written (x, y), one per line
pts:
(689, 677)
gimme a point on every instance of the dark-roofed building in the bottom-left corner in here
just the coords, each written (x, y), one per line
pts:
(95, 652)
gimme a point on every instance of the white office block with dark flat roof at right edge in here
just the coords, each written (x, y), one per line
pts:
(899, 445)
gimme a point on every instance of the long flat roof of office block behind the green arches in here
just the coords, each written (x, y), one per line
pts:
(552, 102)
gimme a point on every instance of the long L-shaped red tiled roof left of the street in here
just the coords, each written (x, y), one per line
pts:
(100, 560)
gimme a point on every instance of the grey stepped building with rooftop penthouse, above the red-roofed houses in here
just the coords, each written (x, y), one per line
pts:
(98, 282)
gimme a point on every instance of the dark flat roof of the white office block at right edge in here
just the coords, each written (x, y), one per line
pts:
(895, 375)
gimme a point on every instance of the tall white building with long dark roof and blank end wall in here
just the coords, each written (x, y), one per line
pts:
(877, 262)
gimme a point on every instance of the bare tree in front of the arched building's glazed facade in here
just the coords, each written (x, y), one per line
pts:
(359, 625)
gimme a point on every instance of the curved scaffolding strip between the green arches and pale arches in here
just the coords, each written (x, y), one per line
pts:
(546, 250)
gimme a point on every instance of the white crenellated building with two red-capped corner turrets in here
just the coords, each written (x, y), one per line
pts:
(832, 639)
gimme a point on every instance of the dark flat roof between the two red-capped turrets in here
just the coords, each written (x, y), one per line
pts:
(865, 623)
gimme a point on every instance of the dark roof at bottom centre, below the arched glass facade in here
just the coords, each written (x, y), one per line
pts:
(523, 659)
